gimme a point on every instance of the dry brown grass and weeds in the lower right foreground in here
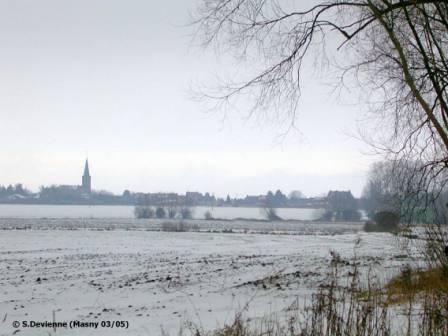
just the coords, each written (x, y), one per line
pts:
(414, 303)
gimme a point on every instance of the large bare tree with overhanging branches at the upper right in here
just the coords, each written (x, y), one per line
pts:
(396, 50)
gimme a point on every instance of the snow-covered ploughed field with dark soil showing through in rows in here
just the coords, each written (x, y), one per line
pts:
(154, 279)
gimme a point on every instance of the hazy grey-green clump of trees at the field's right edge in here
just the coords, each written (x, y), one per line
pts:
(405, 189)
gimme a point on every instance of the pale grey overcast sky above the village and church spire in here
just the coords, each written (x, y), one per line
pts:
(110, 79)
